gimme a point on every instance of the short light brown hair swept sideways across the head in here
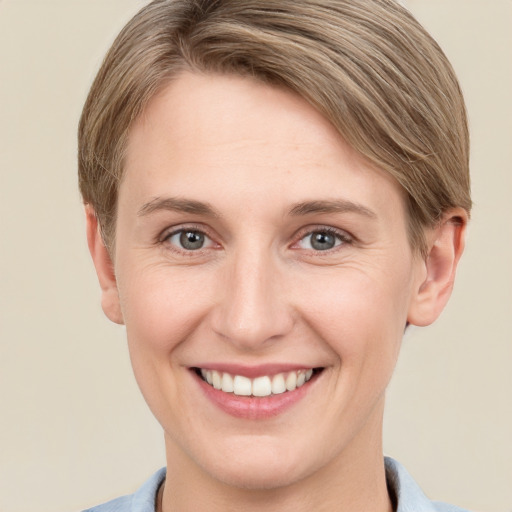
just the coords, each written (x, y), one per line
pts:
(367, 65)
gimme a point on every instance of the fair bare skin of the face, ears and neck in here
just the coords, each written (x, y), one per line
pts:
(257, 292)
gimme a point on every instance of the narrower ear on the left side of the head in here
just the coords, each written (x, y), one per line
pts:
(104, 268)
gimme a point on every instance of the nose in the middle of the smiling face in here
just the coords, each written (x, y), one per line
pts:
(253, 309)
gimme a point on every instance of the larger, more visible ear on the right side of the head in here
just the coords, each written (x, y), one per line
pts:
(434, 287)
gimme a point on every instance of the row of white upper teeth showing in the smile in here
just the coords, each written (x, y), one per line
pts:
(260, 386)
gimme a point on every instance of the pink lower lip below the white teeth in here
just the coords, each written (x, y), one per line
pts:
(254, 408)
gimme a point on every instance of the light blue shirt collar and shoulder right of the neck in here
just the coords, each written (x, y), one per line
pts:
(408, 495)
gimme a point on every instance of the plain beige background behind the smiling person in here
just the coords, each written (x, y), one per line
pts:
(74, 430)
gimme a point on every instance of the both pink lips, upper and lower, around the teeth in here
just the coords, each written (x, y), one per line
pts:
(253, 408)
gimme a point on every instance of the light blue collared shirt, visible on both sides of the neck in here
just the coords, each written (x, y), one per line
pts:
(409, 496)
